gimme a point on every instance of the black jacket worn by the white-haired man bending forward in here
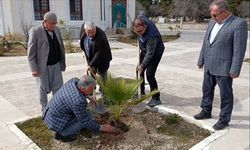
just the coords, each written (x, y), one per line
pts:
(100, 55)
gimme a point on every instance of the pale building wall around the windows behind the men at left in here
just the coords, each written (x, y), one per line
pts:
(15, 13)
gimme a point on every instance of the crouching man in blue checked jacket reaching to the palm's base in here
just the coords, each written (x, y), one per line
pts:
(66, 113)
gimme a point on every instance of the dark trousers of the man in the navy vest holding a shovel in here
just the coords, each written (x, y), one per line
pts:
(150, 74)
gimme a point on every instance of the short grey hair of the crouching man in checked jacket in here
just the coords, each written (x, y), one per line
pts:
(86, 81)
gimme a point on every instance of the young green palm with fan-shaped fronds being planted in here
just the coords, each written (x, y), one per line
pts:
(119, 93)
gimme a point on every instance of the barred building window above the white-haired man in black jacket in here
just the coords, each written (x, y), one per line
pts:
(75, 9)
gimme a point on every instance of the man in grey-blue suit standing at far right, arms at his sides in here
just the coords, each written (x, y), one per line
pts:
(221, 56)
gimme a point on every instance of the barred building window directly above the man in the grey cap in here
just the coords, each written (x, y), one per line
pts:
(40, 8)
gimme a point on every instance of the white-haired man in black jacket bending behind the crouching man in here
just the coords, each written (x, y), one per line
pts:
(94, 43)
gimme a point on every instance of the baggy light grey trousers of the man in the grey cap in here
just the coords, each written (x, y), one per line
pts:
(51, 80)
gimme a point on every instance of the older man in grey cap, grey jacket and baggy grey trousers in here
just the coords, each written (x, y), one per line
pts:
(46, 56)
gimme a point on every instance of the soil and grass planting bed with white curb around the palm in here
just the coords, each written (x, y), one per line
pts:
(147, 130)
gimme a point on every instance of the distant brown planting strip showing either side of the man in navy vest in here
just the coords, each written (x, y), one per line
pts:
(128, 40)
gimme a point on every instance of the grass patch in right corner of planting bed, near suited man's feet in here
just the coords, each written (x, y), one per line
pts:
(182, 130)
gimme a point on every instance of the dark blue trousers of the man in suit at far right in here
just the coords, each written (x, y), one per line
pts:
(226, 94)
